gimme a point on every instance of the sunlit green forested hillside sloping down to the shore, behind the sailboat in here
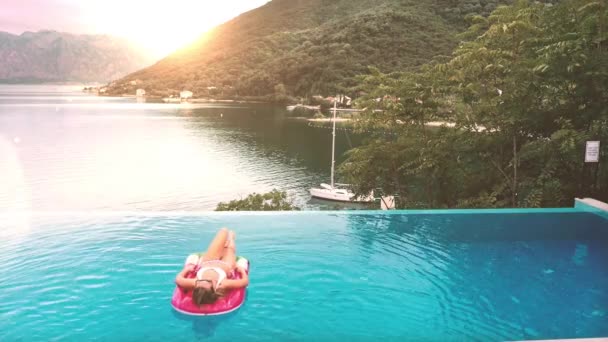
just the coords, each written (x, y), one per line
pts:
(308, 47)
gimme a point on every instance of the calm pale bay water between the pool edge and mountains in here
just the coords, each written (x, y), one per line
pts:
(64, 150)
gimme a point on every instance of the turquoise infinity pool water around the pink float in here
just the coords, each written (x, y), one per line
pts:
(484, 275)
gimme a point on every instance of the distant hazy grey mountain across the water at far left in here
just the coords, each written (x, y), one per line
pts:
(48, 56)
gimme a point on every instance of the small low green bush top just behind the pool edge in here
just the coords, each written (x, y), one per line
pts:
(270, 201)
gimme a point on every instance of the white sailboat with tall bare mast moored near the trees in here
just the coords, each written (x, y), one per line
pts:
(334, 191)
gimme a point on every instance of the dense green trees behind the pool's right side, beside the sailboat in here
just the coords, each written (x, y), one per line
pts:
(522, 94)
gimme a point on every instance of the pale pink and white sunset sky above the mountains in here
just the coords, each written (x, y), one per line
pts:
(159, 27)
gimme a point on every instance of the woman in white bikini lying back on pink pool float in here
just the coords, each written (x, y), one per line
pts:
(215, 271)
